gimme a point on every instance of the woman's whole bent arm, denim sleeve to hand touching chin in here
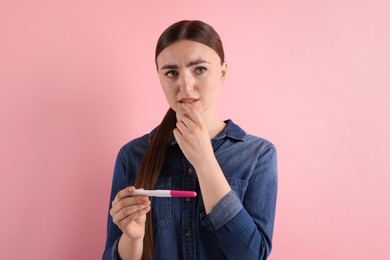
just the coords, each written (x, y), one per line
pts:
(242, 229)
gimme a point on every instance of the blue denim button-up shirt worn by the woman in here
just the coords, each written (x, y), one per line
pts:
(240, 226)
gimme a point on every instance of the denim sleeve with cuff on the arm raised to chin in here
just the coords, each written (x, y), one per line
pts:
(244, 230)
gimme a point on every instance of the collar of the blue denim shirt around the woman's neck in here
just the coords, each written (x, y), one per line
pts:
(231, 131)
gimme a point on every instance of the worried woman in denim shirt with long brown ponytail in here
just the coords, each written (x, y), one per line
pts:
(234, 174)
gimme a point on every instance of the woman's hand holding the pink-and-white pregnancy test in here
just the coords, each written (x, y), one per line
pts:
(129, 213)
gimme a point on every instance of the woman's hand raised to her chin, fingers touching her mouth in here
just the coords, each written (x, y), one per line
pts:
(192, 135)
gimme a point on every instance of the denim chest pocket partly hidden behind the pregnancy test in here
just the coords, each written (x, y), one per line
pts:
(162, 206)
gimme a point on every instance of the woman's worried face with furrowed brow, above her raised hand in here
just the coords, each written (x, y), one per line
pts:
(191, 74)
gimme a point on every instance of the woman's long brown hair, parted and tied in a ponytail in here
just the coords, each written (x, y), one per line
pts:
(155, 154)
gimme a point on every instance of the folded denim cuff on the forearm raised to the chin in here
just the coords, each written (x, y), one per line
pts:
(223, 212)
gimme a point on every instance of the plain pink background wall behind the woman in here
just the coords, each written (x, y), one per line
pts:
(78, 81)
